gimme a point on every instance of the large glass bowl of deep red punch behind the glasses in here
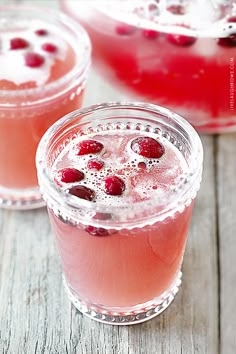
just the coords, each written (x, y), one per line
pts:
(177, 53)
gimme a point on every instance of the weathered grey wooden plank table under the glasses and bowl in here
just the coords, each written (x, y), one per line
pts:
(37, 317)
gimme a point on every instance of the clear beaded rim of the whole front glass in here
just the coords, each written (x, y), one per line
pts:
(55, 193)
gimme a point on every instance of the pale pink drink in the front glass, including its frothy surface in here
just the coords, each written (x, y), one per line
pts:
(127, 267)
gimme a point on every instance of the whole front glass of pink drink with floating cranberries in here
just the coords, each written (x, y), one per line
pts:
(120, 181)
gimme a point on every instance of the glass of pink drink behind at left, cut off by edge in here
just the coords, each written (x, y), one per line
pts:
(44, 62)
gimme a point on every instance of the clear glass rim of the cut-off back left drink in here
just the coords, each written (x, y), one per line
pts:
(79, 68)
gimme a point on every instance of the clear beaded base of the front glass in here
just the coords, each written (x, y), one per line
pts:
(138, 314)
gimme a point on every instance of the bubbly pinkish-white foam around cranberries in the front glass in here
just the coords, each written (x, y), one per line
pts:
(160, 177)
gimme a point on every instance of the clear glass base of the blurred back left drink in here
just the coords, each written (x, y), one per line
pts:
(21, 199)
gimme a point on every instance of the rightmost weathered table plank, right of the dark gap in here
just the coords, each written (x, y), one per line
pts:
(226, 189)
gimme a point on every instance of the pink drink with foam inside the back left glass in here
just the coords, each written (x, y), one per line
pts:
(22, 126)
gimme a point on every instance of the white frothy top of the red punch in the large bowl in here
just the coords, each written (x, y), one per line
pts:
(202, 18)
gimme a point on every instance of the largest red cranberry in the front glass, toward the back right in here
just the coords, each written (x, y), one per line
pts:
(147, 147)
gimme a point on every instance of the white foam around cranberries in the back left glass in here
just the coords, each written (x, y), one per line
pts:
(12, 62)
